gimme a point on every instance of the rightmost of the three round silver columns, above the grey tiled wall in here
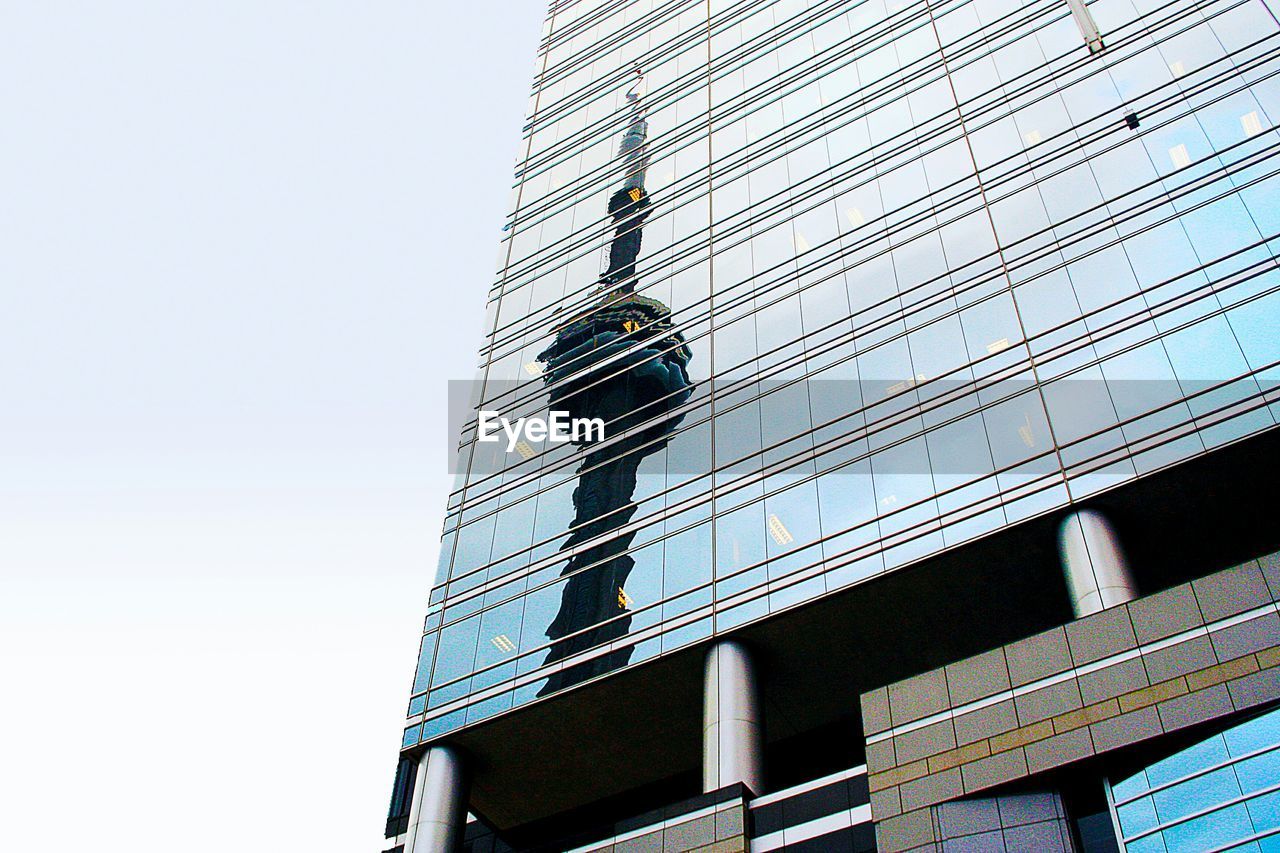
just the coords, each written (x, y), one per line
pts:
(1098, 576)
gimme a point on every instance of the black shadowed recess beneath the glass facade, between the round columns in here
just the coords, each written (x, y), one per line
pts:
(641, 727)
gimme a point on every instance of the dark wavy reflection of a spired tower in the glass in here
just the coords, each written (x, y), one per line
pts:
(619, 361)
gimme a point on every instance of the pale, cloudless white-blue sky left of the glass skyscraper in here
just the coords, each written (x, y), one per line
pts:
(243, 249)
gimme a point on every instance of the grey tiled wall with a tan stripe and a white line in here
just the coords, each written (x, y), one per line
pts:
(1159, 664)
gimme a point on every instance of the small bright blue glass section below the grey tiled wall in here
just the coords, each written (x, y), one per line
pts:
(1220, 795)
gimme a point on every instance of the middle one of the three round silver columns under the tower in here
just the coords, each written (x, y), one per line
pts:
(733, 724)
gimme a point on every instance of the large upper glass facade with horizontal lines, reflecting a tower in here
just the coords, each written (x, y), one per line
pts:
(851, 282)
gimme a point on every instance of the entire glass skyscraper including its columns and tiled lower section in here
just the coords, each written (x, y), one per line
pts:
(918, 332)
